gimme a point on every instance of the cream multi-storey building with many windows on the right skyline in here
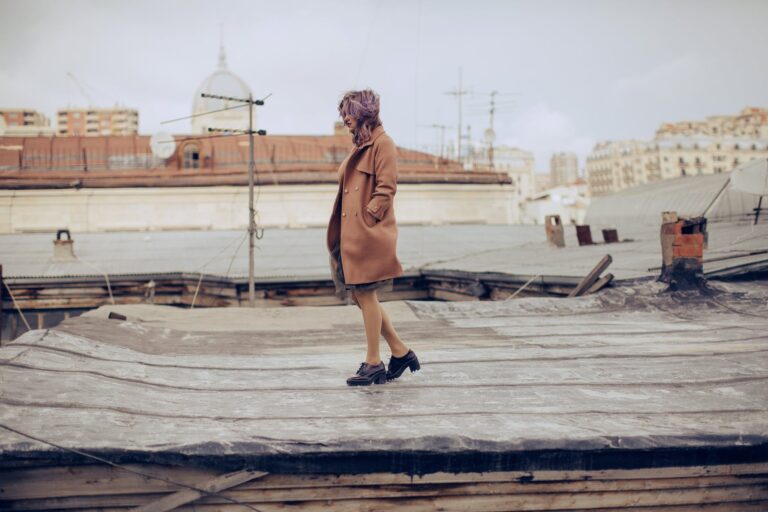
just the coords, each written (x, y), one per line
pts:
(716, 145)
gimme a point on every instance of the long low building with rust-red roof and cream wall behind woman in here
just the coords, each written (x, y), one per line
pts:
(48, 184)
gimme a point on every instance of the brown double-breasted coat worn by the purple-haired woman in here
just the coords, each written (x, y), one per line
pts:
(363, 218)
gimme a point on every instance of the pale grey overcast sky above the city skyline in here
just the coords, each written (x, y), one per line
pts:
(569, 73)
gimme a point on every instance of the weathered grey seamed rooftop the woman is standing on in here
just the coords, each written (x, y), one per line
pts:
(631, 370)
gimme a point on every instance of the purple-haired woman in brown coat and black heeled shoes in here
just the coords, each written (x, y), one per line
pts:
(362, 234)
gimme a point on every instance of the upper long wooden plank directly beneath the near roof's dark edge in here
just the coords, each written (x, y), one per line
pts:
(80, 481)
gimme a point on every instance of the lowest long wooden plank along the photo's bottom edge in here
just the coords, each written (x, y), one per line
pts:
(638, 492)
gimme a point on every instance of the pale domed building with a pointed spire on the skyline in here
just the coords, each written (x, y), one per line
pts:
(222, 82)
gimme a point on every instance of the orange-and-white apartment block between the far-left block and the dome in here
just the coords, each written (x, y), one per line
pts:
(97, 122)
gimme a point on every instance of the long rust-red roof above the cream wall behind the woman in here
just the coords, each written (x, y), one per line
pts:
(119, 161)
